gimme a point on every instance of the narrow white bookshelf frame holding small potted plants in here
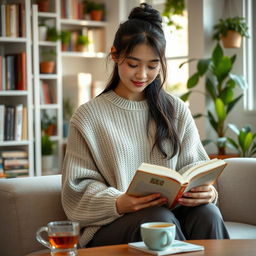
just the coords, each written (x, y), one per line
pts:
(54, 108)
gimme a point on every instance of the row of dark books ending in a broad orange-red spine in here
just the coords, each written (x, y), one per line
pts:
(13, 72)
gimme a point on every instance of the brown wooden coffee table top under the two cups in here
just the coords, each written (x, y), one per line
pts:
(212, 248)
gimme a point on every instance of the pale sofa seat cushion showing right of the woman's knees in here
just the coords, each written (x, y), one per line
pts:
(241, 231)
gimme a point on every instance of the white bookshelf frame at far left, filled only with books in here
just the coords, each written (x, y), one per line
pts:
(12, 45)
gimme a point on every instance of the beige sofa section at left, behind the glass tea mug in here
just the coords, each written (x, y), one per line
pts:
(26, 205)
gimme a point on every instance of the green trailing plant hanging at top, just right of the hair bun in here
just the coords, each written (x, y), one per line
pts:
(173, 7)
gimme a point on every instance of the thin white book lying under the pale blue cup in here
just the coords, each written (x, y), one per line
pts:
(177, 247)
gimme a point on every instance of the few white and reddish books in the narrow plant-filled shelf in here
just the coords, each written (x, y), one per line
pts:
(47, 93)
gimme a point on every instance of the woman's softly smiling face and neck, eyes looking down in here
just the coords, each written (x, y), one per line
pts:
(136, 72)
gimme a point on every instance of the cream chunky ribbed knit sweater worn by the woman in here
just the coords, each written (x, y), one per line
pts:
(107, 142)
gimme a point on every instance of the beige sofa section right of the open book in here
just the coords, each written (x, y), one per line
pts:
(237, 190)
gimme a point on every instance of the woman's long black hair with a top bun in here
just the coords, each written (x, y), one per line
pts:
(144, 25)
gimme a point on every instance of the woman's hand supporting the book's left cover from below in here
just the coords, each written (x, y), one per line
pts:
(126, 203)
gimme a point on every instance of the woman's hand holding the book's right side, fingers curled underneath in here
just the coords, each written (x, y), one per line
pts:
(197, 196)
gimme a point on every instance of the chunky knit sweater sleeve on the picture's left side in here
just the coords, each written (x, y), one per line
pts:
(85, 195)
